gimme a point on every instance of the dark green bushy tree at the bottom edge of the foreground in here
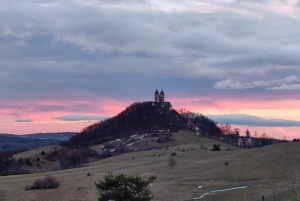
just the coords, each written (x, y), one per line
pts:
(123, 187)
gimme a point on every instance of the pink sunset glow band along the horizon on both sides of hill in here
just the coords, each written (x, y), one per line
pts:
(42, 111)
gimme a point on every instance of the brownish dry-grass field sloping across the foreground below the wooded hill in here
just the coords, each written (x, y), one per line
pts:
(256, 168)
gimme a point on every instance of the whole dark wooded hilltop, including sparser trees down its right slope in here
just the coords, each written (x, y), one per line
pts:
(143, 117)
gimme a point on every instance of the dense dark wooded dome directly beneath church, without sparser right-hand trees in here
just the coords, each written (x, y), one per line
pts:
(138, 117)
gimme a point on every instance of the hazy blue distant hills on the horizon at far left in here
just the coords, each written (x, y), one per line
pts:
(30, 141)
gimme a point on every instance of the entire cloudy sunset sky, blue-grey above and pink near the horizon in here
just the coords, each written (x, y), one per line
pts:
(65, 64)
